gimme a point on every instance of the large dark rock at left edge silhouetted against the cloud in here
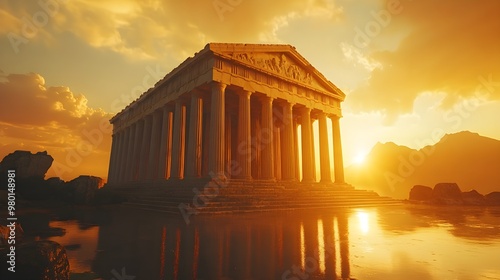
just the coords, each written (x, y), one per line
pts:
(26, 164)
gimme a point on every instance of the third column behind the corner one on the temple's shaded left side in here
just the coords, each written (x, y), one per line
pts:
(165, 144)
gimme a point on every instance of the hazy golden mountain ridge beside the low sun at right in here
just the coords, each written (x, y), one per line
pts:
(468, 159)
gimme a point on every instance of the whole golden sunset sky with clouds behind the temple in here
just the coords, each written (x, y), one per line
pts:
(412, 70)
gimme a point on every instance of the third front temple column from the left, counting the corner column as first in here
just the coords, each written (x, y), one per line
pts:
(267, 139)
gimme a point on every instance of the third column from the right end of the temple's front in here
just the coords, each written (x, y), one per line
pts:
(307, 146)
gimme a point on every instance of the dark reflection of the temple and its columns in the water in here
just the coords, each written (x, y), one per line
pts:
(254, 246)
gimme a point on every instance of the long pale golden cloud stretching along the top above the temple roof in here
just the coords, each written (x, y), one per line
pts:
(152, 29)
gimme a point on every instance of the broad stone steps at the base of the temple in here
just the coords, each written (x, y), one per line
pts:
(241, 198)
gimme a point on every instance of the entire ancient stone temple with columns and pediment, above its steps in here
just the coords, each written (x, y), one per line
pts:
(238, 112)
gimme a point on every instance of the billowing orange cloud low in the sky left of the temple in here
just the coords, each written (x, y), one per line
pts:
(36, 117)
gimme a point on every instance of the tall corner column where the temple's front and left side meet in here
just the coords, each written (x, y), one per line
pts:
(217, 125)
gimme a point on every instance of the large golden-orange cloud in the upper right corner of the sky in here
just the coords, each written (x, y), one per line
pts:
(448, 46)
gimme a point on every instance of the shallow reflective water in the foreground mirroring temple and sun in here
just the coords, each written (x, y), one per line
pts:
(396, 242)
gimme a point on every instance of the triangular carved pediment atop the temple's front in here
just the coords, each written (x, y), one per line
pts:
(279, 60)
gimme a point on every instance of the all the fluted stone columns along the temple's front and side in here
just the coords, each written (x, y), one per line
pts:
(155, 146)
